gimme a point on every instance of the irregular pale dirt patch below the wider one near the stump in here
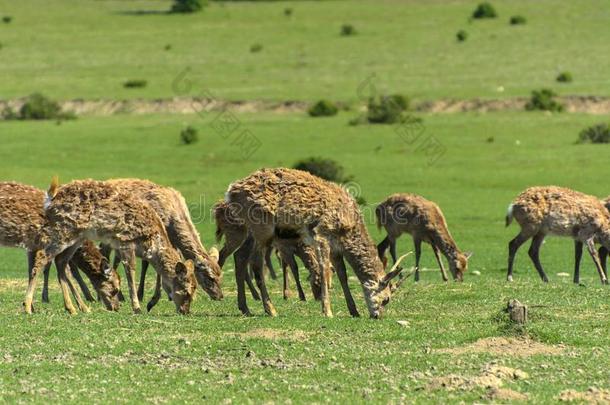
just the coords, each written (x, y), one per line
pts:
(492, 376)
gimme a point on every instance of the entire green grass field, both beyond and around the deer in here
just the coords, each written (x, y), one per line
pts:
(87, 49)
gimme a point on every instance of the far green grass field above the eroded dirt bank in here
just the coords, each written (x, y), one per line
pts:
(88, 49)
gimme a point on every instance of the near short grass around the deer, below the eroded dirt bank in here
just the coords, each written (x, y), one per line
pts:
(217, 355)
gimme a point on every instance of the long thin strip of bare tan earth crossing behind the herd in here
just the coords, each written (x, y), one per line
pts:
(190, 105)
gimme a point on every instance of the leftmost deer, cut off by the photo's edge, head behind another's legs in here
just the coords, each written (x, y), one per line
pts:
(21, 222)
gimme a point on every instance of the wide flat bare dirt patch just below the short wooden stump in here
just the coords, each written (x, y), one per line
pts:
(522, 347)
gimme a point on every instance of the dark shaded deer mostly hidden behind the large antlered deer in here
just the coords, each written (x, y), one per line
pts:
(239, 243)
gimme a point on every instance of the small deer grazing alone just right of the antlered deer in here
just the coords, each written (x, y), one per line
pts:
(425, 222)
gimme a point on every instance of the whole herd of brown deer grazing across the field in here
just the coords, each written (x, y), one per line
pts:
(291, 211)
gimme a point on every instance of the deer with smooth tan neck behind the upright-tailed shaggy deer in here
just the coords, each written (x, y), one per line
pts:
(171, 207)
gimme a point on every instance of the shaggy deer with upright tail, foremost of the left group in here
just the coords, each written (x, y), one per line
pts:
(97, 210)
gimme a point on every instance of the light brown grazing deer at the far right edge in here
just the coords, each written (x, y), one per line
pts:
(542, 211)
